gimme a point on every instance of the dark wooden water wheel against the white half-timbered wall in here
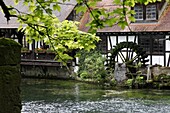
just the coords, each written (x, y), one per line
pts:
(129, 53)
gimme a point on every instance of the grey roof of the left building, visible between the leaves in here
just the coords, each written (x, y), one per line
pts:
(62, 15)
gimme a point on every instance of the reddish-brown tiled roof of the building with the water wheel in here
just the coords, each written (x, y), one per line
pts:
(163, 23)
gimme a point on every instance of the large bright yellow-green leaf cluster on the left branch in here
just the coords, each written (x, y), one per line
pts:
(39, 23)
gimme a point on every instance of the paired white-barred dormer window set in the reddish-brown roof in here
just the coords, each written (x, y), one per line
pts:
(145, 13)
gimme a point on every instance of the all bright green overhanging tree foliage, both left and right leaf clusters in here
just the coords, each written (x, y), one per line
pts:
(39, 23)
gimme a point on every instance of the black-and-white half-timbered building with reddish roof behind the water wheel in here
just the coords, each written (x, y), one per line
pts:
(151, 31)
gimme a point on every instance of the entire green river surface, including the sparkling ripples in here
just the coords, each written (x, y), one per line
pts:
(59, 96)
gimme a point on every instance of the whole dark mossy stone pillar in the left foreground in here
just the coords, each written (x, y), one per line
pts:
(10, 76)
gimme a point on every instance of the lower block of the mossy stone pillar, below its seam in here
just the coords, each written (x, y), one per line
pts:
(10, 79)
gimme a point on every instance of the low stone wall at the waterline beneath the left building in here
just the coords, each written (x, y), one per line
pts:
(58, 72)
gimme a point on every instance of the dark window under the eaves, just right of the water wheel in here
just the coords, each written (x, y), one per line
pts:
(151, 44)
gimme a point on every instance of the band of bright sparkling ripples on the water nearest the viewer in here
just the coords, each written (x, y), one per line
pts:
(114, 105)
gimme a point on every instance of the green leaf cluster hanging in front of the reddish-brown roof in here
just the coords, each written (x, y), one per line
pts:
(101, 17)
